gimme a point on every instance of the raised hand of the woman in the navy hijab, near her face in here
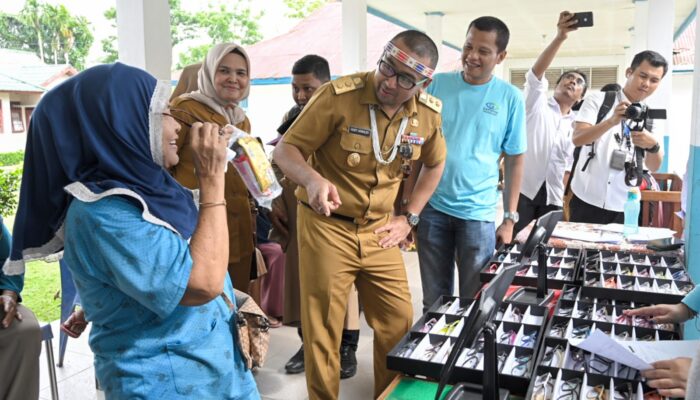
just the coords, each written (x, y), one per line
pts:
(209, 148)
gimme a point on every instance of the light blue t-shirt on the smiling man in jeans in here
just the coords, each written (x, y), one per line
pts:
(479, 122)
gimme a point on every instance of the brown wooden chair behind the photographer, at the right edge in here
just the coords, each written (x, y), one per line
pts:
(659, 207)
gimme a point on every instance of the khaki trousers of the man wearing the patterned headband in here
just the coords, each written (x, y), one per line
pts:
(334, 254)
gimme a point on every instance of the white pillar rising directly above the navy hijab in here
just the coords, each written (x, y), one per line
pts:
(143, 32)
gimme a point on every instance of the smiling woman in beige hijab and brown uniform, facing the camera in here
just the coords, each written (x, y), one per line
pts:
(223, 81)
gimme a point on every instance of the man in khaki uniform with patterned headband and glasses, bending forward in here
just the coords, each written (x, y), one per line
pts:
(367, 128)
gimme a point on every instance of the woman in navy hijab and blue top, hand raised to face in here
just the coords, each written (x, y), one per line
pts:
(150, 268)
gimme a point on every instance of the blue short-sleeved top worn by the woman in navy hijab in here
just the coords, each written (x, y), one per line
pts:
(131, 276)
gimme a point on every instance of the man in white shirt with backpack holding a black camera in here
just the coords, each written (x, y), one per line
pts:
(607, 161)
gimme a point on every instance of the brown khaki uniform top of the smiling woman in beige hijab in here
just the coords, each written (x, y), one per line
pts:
(238, 212)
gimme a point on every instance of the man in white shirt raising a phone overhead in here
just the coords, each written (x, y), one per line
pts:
(550, 123)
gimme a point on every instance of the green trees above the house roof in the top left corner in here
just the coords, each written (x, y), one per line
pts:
(50, 31)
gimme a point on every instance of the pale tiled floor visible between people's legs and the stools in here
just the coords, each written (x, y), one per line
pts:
(76, 379)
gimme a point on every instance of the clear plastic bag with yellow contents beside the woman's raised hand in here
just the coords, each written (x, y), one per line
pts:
(248, 157)
